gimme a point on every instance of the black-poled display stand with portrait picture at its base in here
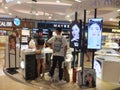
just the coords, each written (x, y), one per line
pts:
(86, 76)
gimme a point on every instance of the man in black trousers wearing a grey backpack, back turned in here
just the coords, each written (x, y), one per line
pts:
(59, 46)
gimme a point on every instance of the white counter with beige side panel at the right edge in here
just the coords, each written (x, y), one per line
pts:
(107, 66)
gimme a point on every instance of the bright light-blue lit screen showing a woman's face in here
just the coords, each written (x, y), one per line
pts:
(94, 33)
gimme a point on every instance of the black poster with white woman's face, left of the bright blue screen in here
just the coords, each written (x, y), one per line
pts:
(75, 34)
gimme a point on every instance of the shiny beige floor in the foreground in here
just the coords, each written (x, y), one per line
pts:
(17, 82)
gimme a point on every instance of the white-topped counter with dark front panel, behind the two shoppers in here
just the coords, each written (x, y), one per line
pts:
(28, 62)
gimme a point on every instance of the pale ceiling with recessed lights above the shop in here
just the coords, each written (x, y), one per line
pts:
(43, 9)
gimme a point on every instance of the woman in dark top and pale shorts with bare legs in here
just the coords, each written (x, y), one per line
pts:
(40, 56)
